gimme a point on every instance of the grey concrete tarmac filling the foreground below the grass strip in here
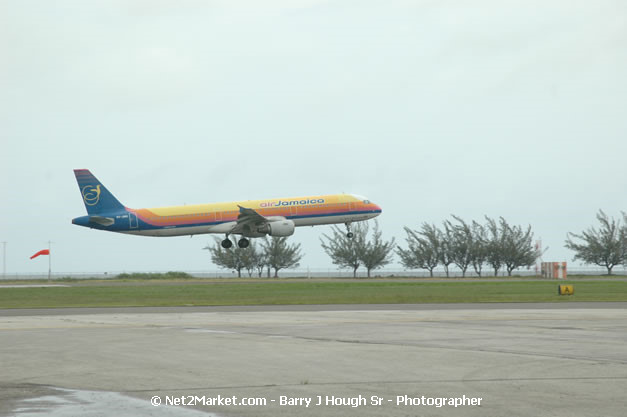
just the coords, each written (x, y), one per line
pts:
(563, 359)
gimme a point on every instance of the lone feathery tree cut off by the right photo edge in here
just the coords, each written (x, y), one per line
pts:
(606, 246)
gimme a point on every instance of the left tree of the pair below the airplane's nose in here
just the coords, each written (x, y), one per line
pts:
(344, 251)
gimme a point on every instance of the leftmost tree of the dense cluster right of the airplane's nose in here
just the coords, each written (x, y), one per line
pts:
(423, 248)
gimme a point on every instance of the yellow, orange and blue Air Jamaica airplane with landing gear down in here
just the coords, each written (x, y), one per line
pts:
(249, 219)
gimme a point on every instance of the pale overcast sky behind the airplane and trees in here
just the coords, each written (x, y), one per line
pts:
(429, 108)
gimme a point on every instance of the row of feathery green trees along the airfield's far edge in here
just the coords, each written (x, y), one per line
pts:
(493, 244)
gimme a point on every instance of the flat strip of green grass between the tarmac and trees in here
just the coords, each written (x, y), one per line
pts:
(251, 293)
